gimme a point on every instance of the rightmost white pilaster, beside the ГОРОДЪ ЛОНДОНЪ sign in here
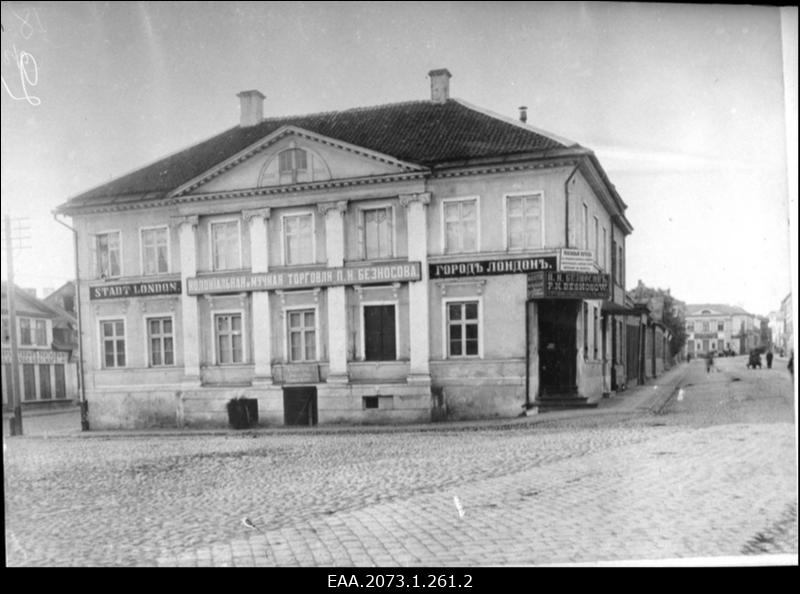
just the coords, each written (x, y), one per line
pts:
(418, 308)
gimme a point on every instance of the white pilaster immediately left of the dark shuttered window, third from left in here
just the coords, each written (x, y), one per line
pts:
(337, 309)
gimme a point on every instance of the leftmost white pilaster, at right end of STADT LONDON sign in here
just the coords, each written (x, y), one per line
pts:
(187, 228)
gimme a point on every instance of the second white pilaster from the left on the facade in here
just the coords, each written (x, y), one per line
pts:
(262, 315)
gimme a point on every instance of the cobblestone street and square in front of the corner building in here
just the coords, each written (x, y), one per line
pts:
(702, 478)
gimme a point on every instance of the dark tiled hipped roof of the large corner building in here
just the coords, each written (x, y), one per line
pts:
(420, 132)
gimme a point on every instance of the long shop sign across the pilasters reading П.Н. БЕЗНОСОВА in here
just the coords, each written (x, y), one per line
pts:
(365, 274)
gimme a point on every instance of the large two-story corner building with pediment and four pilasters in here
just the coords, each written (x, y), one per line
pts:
(397, 263)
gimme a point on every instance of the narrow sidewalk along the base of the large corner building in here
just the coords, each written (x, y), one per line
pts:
(647, 398)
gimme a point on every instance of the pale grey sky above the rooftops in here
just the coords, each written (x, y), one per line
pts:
(683, 104)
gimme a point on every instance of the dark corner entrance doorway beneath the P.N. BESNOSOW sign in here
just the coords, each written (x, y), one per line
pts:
(557, 346)
